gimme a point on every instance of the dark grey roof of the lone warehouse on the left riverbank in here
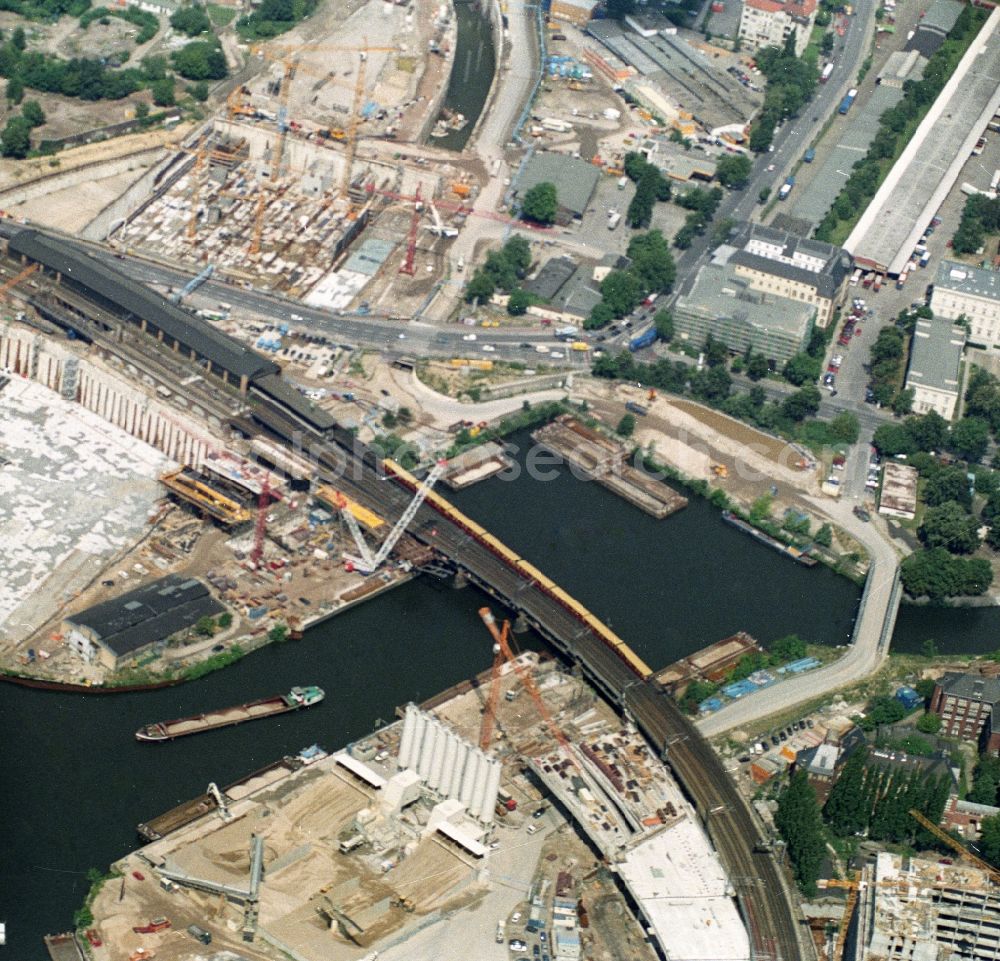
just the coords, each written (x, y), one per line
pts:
(148, 614)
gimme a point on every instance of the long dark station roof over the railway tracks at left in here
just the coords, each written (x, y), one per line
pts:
(137, 299)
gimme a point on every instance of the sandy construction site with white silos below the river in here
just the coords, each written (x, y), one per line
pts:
(368, 851)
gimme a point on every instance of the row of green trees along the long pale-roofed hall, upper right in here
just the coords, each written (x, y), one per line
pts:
(896, 124)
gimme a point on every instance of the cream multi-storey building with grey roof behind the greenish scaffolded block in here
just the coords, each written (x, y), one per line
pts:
(782, 263)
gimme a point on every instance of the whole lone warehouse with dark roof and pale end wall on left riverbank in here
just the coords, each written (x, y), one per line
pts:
(125, 627)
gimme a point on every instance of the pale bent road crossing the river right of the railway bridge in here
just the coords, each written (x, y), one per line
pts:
(865, 653)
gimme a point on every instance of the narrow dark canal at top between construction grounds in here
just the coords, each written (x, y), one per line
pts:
(471, 73)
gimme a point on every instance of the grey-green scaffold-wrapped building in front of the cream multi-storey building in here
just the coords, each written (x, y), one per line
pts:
(726, 305)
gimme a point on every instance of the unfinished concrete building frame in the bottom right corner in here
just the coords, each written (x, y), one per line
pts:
(925, 911)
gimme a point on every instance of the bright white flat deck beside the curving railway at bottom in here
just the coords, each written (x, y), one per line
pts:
(681, 890)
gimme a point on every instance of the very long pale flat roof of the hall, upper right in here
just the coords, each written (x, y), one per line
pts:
(929, 166)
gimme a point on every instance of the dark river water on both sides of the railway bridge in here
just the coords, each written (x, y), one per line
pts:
(75, 782)
